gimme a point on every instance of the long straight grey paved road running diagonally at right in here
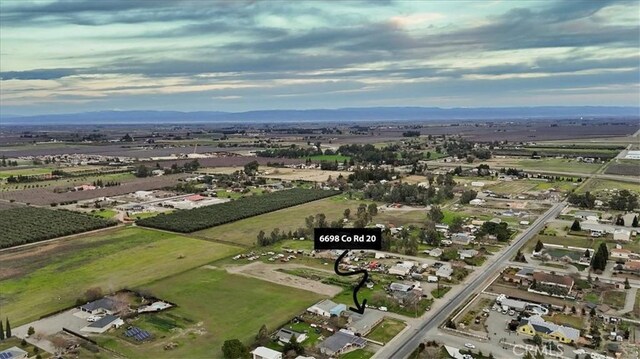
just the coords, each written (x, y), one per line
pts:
(402, 346)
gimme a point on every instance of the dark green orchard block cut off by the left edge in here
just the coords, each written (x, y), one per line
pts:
(31, 224)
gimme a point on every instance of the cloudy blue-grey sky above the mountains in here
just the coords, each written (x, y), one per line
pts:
(87, 55)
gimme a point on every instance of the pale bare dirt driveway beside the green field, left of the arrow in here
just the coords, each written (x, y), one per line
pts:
(270, 273)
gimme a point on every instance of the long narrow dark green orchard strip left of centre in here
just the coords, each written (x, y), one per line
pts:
(205, 217)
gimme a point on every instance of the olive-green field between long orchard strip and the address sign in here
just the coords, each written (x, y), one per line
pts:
(244, 231)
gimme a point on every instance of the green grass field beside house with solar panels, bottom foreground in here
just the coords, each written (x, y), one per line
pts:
(215, 306)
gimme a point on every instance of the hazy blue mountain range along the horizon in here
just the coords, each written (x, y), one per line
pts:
(325, 115)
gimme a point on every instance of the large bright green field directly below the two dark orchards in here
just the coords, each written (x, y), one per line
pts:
(52, 276)
